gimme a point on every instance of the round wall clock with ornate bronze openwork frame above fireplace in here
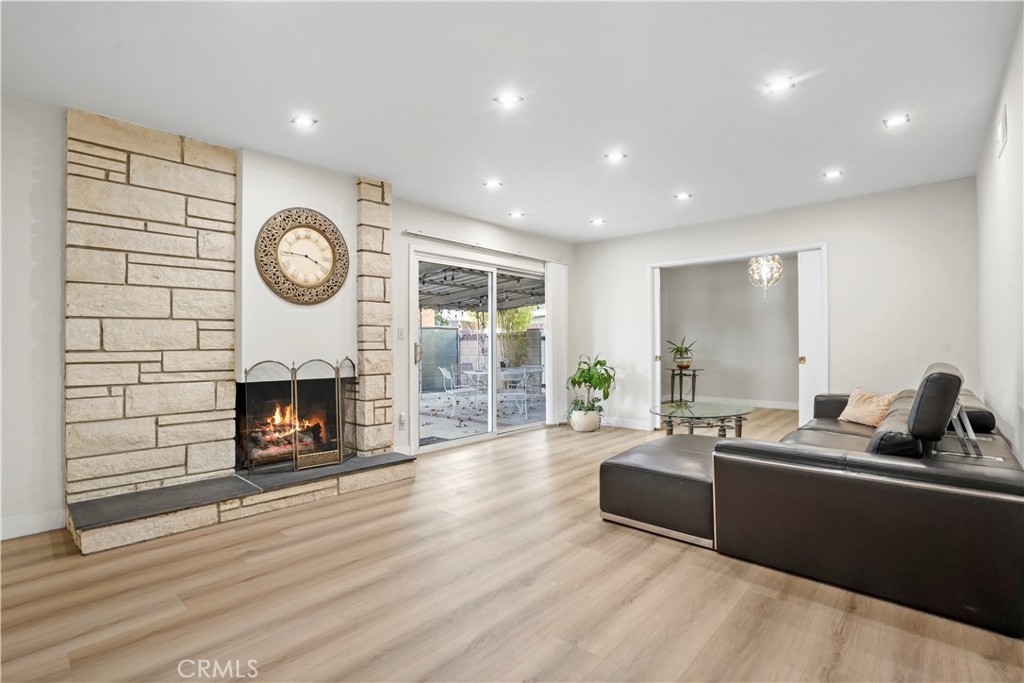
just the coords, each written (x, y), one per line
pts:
(302, 257)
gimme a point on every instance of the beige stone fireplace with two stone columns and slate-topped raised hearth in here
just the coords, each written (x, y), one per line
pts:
(150, 348)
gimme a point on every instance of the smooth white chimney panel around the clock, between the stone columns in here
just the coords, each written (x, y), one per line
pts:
(270, 328)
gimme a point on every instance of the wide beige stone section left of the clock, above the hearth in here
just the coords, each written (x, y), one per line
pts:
(150, 309)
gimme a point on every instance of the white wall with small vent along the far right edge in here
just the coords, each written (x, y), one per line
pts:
(1001, 225)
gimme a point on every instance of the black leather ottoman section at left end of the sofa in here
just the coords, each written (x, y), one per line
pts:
(664, 487)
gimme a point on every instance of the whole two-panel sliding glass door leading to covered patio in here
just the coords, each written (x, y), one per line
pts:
(480, 351)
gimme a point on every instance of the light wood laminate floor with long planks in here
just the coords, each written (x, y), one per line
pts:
(492, 566)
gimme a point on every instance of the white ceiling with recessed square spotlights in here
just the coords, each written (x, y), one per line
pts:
(405, 93)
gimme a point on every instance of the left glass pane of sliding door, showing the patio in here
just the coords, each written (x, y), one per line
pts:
(454, 353)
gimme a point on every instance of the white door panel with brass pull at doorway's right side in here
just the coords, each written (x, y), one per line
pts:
(814, 336)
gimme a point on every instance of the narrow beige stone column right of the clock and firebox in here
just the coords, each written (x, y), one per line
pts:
(374, 401)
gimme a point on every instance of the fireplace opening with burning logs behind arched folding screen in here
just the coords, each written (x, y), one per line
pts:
(293, 418)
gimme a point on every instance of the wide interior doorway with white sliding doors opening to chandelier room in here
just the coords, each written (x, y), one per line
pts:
(774, 356)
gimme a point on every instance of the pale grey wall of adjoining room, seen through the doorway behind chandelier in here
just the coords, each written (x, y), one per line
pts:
(747, 345)
